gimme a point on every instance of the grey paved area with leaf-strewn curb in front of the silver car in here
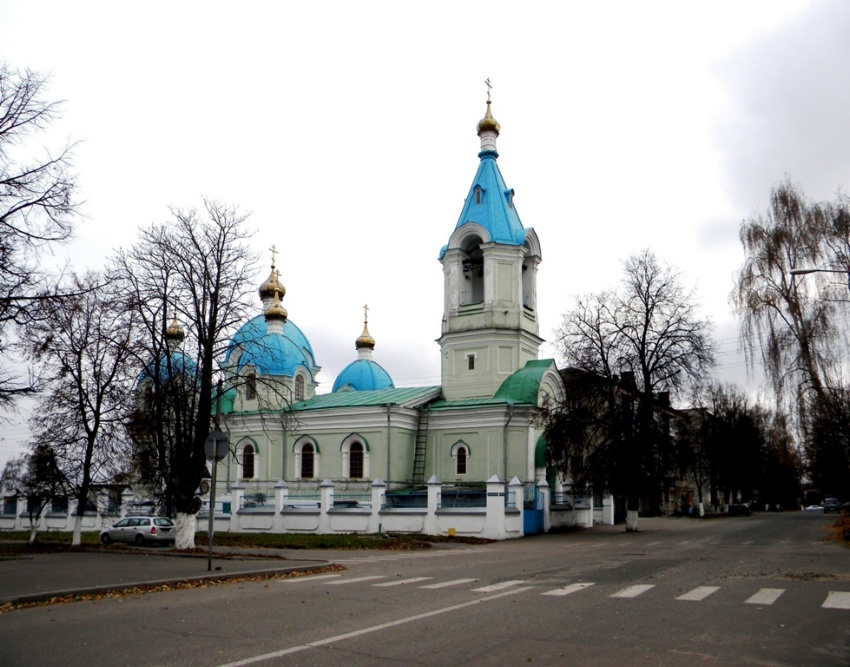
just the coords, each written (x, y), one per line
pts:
(36, 577)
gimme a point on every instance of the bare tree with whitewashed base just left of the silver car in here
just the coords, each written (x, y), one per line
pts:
(85, 345)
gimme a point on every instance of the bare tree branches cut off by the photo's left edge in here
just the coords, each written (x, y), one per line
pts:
(37, 209)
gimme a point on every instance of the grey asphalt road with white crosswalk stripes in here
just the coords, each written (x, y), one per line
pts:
(762, 590)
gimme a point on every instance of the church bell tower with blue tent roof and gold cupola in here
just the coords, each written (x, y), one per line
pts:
(490, 322)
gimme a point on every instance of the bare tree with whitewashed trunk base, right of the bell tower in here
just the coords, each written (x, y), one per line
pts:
(648, 327)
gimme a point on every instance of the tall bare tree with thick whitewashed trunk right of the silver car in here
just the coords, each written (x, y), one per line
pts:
(195, 270)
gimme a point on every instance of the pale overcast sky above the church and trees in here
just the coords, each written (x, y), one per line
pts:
(348, 131)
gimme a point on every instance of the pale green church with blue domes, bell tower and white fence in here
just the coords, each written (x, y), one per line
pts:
(369, 452)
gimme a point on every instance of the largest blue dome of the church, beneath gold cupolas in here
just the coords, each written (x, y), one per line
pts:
(271, 353)
